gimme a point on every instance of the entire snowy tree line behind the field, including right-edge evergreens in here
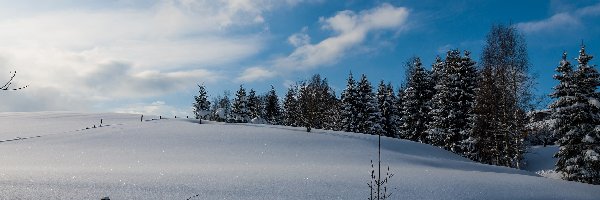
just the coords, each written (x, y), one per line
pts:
(476, 110)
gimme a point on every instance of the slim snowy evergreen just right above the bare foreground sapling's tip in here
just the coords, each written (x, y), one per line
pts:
(386, 100)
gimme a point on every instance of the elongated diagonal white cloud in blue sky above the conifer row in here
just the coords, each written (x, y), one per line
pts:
(350, 30)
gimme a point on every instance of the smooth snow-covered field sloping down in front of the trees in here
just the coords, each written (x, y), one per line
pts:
(177, 159)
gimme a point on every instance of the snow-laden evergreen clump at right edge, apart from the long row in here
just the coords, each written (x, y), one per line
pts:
(578, 122)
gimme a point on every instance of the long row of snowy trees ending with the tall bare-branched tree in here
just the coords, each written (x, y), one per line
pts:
(476, 113)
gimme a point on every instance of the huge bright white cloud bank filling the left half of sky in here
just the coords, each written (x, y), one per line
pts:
(76, 54)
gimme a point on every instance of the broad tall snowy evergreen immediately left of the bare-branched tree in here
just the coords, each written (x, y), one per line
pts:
(452, 104)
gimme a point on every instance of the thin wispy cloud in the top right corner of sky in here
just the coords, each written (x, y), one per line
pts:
(560, 21)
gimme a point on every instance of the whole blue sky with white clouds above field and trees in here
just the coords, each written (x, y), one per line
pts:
(147, 56)
